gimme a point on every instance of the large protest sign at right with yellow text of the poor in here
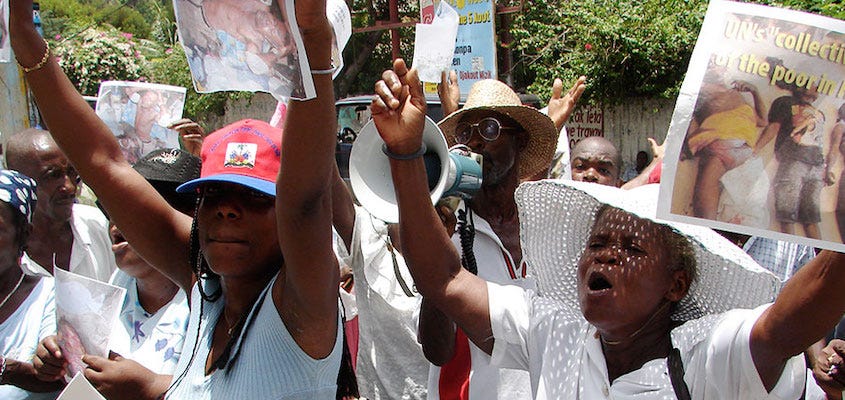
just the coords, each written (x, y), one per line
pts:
(755, 144)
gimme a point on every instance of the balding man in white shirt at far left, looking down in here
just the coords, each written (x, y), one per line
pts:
(71, 236)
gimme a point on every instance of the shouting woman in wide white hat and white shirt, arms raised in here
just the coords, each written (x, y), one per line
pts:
(626, 306)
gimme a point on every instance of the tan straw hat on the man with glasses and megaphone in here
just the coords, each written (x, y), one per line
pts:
(490, 94)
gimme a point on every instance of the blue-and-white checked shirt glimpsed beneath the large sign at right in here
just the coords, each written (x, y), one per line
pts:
(781, 258)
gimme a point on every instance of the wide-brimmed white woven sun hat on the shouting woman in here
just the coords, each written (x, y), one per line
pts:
(555, 221)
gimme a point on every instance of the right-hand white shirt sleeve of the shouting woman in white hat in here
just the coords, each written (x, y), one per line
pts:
(729, 364)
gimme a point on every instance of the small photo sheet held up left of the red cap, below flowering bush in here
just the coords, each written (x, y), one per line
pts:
(139, 113)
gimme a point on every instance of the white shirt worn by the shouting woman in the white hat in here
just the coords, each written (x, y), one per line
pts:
(565, 358)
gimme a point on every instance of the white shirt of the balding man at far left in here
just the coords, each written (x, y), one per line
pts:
(90, 254)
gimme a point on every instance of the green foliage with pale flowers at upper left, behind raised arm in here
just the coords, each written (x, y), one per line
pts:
(100, 40)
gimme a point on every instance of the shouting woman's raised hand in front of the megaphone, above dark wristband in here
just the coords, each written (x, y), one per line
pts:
(399, 108)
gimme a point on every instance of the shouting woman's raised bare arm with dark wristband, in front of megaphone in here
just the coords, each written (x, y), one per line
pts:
(399, 111)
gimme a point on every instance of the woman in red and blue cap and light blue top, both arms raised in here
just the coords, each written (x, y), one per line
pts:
(264, 313)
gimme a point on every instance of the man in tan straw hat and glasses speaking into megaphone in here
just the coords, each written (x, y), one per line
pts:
(517, 142)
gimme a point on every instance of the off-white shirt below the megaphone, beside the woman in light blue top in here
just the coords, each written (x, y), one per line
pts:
(390, 362)
